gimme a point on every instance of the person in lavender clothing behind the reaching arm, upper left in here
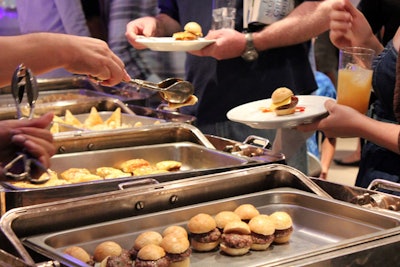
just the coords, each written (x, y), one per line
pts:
(57, 16)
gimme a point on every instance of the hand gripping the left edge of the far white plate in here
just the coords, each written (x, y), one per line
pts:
(145, 26)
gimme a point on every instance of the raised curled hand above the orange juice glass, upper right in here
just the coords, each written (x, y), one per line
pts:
(348, 26)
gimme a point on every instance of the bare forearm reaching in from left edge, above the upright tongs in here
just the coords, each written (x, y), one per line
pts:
(40, 52)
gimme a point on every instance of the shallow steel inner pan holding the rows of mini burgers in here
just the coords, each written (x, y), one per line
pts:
(320, 226)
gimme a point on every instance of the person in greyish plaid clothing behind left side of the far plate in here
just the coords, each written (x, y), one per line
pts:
(142, 64)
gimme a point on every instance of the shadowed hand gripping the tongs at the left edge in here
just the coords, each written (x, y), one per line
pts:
(32, 136)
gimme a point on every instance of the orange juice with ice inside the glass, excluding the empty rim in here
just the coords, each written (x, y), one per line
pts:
(354, 88)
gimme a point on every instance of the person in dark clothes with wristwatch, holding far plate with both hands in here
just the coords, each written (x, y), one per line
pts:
(223, 79)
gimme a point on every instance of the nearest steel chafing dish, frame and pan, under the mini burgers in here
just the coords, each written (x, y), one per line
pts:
(327, 232)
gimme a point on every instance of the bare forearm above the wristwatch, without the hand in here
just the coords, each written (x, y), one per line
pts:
(305, 22)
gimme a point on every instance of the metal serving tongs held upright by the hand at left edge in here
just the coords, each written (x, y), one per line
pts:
(24, 166)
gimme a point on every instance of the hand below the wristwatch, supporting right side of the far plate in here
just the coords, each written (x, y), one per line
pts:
(228, 44)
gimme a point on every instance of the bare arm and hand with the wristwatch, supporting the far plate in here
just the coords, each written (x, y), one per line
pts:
(306, 21)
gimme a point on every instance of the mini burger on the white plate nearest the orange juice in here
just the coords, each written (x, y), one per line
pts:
(283, 101)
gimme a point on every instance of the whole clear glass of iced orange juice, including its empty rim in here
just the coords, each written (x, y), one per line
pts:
(355, 77)
